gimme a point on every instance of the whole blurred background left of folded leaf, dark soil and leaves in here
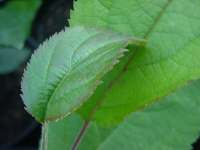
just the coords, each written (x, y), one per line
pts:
(18, 130)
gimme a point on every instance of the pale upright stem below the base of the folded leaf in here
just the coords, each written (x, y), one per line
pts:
(44, 142)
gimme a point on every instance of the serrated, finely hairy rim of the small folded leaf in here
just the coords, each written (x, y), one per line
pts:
(116, 60)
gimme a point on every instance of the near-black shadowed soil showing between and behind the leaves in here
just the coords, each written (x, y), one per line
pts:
(18, 130)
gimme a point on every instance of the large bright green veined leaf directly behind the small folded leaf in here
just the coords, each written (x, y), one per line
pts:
(168, 61)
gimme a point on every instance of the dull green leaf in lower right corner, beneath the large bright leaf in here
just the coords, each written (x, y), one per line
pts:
(172, 124)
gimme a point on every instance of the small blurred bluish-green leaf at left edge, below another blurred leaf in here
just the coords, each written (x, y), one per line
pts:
(11, 58)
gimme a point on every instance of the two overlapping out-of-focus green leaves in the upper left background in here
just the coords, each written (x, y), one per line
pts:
(15, 24)
